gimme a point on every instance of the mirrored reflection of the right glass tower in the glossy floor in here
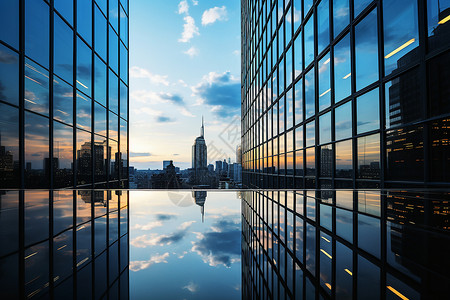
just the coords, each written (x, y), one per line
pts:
(350, 244)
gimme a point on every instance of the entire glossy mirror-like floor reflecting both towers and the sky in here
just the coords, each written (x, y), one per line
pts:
(343, 244)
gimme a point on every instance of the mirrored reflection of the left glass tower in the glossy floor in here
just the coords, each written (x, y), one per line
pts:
(69, 244)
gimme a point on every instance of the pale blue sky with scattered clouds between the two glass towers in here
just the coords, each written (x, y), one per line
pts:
(184, 63)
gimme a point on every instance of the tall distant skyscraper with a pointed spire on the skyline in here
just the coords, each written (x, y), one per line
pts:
(199, 159)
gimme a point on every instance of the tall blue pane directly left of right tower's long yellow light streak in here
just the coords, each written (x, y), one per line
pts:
(366, 51)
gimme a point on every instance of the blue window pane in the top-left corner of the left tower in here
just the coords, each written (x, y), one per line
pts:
(9, 18)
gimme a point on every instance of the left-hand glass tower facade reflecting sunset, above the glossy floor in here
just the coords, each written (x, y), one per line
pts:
(63, 88)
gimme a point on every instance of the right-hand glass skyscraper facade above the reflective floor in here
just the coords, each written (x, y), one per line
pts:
(345, 93)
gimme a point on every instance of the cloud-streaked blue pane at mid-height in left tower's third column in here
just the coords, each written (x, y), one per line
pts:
(62, 101)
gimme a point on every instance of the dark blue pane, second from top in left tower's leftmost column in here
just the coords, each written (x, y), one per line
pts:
(9, 75)
